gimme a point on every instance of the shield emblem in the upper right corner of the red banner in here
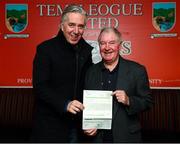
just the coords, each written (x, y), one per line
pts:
(163, 16)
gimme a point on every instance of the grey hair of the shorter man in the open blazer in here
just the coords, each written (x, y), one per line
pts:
(111, 29)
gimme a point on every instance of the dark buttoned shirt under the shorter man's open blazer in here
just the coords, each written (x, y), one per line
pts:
(109, 79)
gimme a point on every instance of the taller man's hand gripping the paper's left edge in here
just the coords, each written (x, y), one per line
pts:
(74, 107)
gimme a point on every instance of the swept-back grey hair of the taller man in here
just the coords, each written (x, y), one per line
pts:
(73, 9)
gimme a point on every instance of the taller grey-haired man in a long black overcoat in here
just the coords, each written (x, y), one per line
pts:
(58, 76)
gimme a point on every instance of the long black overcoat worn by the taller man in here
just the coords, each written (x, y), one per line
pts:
(58, 77)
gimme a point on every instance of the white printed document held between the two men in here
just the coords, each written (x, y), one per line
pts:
(98, 109)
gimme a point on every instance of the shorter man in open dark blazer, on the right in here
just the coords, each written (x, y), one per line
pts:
(131, 93)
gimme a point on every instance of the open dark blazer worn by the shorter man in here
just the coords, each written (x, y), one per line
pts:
(133, 78)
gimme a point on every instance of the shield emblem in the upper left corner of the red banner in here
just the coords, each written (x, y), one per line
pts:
(16, 17)
